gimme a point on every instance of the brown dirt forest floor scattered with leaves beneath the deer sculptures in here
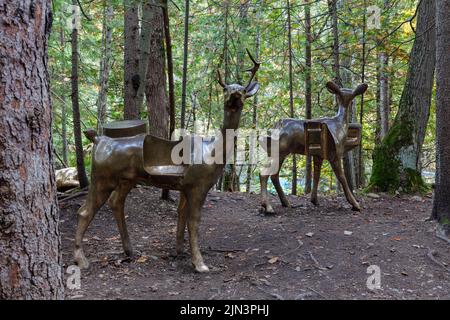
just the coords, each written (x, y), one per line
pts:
(305, 252)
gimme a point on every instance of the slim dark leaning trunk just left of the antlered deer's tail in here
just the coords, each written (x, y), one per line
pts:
(81, 171)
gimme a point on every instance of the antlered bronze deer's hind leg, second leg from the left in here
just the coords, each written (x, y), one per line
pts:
(117, 204)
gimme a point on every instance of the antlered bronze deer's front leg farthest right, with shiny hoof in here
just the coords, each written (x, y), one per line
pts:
(195, 200)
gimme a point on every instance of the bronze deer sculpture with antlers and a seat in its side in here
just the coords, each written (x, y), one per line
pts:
(119, 163)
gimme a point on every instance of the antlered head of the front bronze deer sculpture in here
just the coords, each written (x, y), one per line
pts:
(235, 94)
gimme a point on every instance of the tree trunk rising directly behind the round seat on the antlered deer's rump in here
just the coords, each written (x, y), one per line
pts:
(131, 59)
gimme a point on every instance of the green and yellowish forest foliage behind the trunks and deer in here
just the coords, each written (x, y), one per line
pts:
(206, 54)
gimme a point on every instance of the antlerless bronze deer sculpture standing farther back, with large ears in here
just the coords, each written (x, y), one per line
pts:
(293, 138)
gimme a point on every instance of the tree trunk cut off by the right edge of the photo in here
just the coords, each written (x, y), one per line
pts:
(441, 203)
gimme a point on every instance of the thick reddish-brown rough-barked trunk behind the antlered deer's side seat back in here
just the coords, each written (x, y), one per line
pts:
(157, 106)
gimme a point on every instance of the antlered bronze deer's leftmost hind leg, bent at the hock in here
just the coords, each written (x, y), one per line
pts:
(97, 196)
